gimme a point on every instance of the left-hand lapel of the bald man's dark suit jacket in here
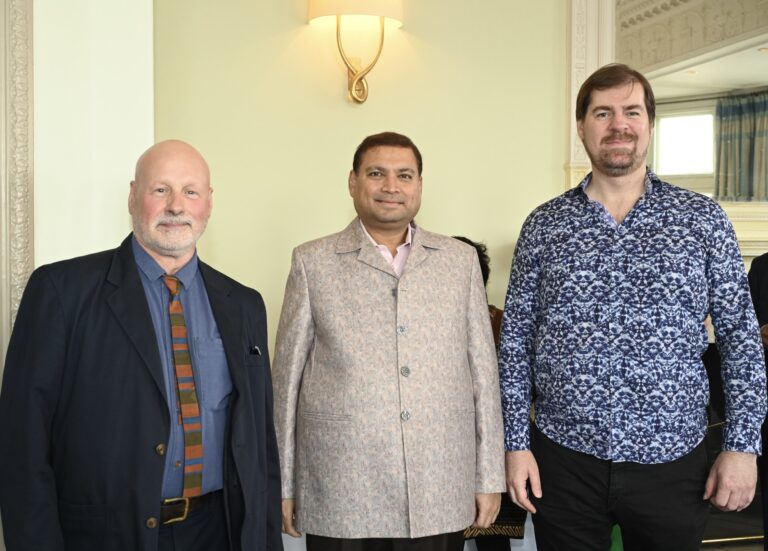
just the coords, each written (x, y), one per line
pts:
(129, 305)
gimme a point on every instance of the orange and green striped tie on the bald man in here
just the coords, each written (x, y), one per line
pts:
(189, 409)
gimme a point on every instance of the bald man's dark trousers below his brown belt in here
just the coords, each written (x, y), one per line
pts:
(204, 530)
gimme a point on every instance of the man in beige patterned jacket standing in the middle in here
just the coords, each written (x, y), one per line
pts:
(387, 402)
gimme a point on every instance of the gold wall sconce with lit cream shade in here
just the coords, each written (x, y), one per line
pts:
(383, 9)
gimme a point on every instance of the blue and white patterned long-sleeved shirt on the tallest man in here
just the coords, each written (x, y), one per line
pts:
(607, 320)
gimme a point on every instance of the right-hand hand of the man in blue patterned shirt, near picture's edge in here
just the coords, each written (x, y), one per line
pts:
(731, 482)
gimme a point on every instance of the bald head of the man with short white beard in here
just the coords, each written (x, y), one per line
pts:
(170, 202)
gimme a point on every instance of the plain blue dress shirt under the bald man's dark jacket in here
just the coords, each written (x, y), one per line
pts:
(209, 364)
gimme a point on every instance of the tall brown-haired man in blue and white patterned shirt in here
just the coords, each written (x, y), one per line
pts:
(604, 317)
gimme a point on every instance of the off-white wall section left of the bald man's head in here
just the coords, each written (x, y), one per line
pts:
(93, 115)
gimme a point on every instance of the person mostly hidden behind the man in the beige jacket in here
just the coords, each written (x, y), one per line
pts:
(510, 523)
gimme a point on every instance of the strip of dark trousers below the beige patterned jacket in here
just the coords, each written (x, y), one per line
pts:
(441, 542)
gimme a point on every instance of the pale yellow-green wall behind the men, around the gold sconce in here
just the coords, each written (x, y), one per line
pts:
(480, 87)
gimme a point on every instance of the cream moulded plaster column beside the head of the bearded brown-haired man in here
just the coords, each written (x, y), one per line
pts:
(591, 45)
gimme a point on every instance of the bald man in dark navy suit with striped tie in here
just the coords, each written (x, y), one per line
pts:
(136, 408)
